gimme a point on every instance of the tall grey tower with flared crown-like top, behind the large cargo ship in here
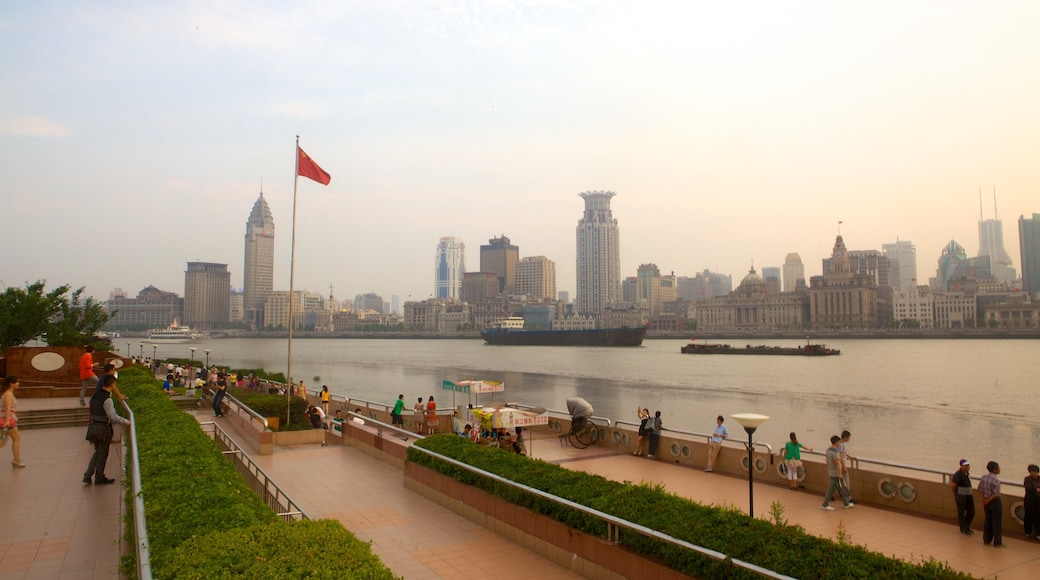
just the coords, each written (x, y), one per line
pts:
(599, 255)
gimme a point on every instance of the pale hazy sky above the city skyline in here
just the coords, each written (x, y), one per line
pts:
(135, 136)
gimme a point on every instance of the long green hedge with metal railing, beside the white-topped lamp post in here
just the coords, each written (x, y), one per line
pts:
(785, 549)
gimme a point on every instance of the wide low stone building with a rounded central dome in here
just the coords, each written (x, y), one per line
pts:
(751, 307)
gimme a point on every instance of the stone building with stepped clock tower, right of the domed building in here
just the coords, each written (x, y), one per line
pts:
(842, 299)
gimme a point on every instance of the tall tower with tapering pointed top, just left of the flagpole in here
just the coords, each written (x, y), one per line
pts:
(258, 273)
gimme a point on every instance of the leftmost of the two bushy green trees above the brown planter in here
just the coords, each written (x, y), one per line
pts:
(25, 314)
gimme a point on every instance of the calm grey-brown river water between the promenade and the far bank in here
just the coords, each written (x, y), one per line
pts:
(927, 403)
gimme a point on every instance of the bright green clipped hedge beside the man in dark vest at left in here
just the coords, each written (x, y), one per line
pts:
(204, 522)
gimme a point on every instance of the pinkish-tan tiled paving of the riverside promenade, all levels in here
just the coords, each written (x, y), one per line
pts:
(57, 528)
